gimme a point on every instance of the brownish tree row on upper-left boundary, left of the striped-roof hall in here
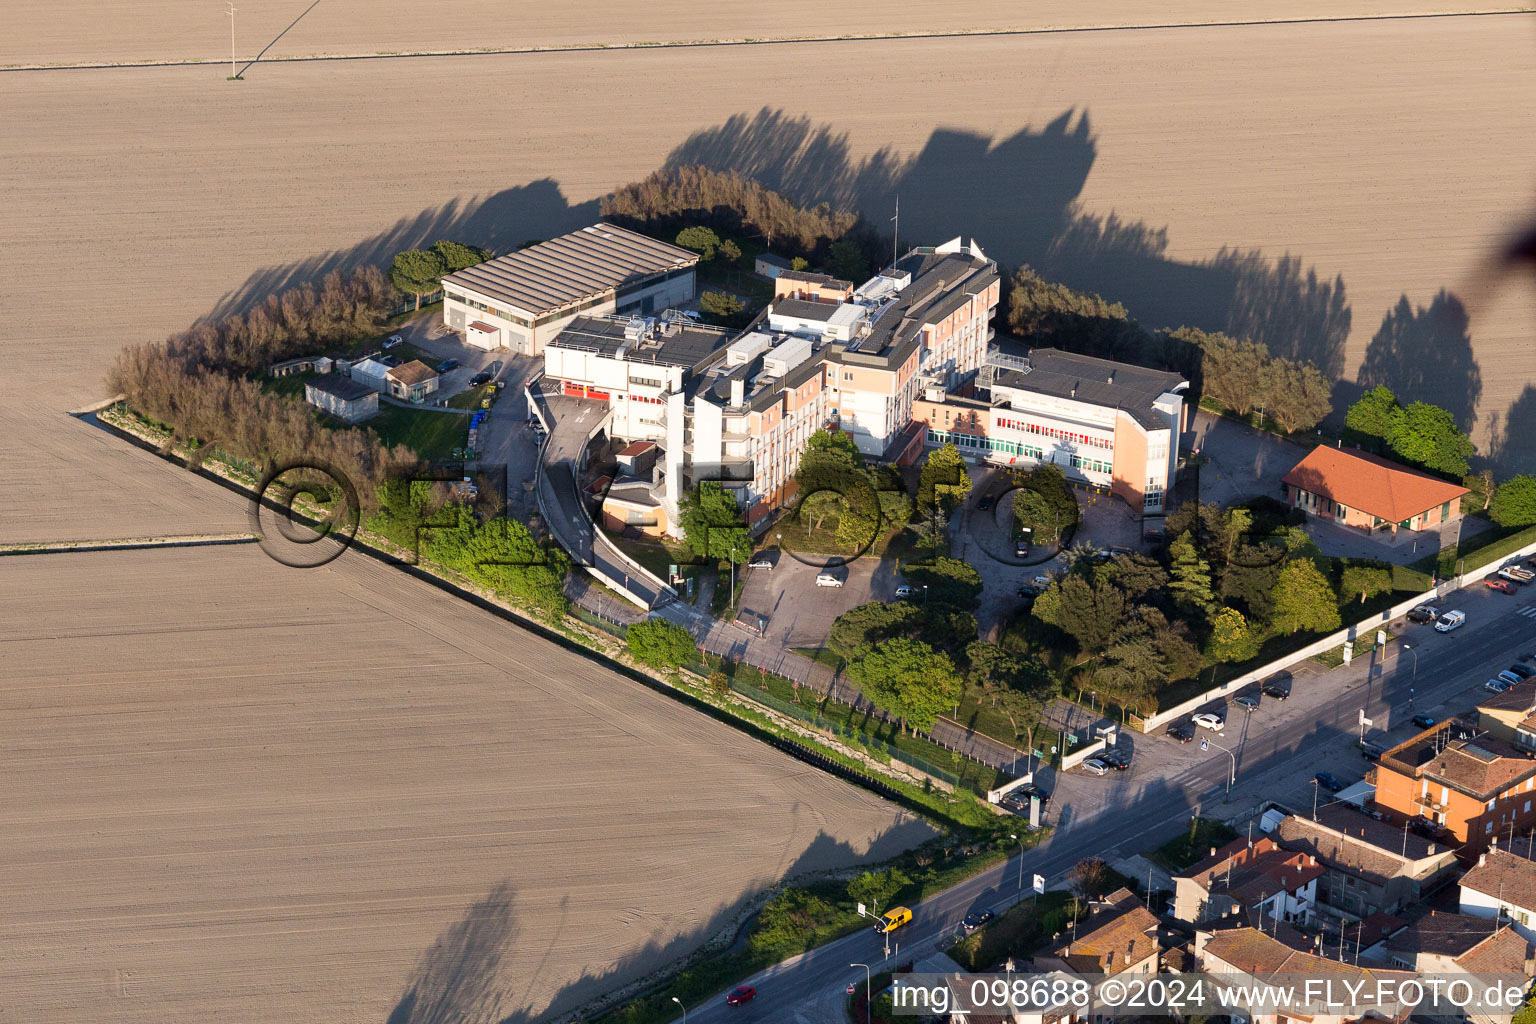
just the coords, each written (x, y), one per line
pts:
(346, 306)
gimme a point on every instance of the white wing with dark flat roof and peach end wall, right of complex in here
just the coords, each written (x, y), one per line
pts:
(1108, 424)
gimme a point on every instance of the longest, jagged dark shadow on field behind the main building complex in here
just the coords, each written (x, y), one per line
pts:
(1019, 196)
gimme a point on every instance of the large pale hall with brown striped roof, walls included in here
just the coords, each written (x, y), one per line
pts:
(525, 300)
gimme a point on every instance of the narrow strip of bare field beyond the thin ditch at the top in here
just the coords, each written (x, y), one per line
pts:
(125, 31)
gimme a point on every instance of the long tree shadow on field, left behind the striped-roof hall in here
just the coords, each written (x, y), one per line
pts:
(502, 223)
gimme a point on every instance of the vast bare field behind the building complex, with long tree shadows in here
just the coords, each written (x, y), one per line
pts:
(1313, 185)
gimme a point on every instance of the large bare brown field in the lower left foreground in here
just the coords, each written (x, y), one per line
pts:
(322, 796)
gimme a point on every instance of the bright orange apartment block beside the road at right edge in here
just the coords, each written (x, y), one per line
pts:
(1477, 788)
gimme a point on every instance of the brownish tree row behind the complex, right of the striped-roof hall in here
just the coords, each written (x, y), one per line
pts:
(732, 205)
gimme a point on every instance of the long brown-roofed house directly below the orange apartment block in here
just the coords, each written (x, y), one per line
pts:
(1369, 865)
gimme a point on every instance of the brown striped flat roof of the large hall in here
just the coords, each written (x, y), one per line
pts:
(572, 268)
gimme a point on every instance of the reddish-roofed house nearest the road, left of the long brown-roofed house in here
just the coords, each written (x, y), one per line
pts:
(1251, 879)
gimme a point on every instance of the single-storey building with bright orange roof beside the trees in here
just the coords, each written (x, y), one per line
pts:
(1369, 494)
